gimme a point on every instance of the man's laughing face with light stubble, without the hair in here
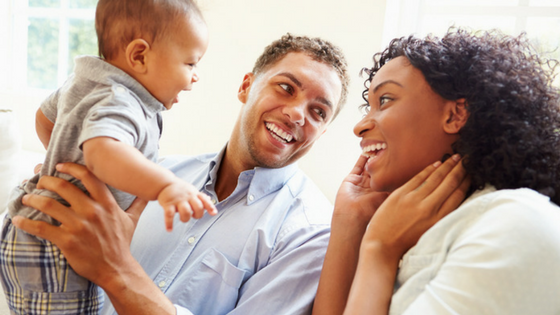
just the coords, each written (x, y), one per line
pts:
(286, 109)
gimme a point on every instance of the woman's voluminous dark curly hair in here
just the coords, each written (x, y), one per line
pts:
(512, 136)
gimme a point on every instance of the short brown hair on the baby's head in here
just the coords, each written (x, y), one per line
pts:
(118, 22)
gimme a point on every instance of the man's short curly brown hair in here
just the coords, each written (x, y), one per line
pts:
(317, 48)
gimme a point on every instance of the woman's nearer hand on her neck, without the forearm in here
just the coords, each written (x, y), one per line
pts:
(417, 205)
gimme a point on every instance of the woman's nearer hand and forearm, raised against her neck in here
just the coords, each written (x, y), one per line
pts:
(397, 225)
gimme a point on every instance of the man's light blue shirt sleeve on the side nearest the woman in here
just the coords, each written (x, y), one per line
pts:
(288, 283)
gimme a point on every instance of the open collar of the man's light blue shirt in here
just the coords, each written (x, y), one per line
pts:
(255, 183)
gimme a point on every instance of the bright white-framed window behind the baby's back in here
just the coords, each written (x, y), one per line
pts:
(45, 36)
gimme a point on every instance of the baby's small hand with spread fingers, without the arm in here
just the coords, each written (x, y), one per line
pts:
(185, 199)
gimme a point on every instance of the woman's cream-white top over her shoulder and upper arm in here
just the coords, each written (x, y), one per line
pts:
(505, 263)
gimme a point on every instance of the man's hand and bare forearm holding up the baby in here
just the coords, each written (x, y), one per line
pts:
(95, 236)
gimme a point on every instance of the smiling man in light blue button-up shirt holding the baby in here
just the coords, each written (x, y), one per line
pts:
(262, 253)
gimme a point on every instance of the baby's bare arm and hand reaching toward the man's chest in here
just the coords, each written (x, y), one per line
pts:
(125, 168)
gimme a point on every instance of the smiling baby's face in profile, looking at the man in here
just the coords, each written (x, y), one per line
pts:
(173, 60)
